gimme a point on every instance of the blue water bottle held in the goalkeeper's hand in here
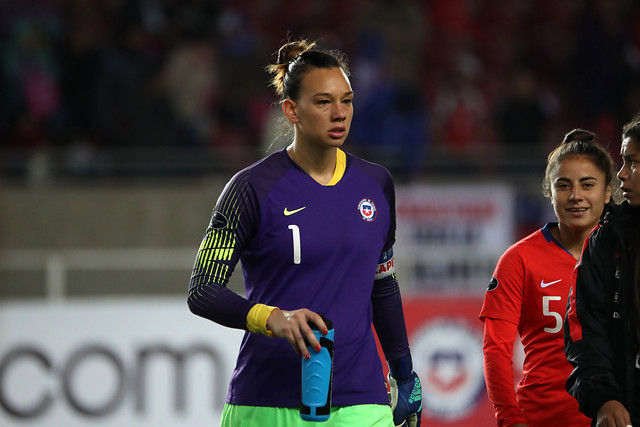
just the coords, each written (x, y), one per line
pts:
(317, 377)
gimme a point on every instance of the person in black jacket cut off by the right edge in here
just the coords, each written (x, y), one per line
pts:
(602, 328)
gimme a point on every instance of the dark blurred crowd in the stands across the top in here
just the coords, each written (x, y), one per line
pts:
(88, 76)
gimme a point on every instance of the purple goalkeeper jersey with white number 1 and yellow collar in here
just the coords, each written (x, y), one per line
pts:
(301, 245)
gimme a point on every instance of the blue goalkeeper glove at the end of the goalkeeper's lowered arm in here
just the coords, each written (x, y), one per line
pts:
(406, 400)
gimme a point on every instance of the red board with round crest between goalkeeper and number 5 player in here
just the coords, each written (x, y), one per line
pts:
(445, 336)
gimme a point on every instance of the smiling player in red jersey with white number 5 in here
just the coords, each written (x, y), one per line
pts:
(527, 294)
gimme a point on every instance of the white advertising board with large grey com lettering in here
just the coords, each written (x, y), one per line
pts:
(112, 362)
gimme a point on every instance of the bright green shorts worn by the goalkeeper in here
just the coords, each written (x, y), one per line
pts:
(344, 416)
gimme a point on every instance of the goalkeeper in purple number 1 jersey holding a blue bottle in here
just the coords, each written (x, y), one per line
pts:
(314, 228)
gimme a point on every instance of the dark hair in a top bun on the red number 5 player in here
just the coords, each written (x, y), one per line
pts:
(580, 142)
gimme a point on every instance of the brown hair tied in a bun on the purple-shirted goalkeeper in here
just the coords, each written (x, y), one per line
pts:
(295, 59)
